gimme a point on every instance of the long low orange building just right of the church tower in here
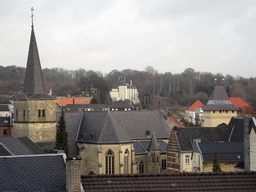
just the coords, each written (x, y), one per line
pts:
(63, 101)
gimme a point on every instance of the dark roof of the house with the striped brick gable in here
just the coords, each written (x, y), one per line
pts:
(213, 134)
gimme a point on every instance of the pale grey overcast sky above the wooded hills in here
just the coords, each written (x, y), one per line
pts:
(217, 36)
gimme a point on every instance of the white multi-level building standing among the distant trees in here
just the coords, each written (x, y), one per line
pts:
(124, 91)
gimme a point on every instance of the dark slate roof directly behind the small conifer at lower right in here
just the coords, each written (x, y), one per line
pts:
(228, 151)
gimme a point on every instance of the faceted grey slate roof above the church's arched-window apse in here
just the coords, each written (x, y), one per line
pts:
(107, 130)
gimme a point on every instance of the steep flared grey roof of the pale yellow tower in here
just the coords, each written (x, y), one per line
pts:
(219, 100)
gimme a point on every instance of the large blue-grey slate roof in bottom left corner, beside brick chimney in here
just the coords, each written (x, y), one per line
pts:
(33, 173)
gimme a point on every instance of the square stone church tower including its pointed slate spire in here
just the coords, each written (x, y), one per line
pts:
(34, 110)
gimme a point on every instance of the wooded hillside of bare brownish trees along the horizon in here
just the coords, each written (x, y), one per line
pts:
(155, 89)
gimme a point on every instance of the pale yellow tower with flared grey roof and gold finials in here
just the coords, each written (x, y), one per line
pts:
(219, 109)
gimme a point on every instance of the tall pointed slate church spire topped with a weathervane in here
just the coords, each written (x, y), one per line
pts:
(34, 82)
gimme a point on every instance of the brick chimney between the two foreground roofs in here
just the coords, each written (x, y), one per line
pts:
(73, 175)
